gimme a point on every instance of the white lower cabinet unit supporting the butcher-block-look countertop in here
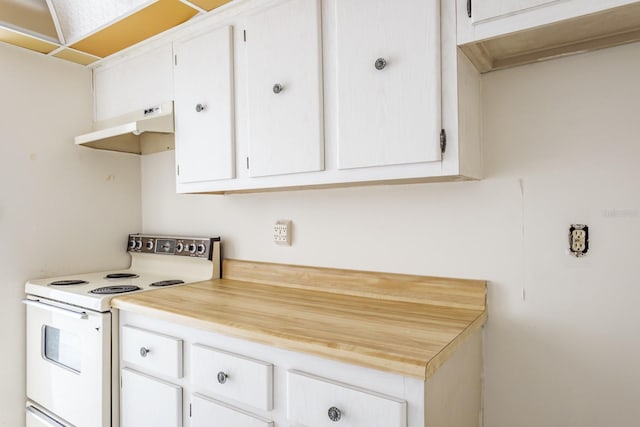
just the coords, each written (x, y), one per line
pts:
(231, 382)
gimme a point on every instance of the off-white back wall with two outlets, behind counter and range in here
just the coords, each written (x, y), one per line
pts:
(561, 146)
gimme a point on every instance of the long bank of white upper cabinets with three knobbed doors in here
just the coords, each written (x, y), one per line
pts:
(312, 93)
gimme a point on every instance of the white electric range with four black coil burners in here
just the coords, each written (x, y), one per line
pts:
(72, 342)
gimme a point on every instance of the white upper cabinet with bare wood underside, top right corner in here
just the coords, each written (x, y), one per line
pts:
(496, 34)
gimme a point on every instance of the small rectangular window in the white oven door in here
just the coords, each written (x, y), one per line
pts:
(62, 347)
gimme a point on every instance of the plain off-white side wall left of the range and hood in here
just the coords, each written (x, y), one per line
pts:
(63, 209)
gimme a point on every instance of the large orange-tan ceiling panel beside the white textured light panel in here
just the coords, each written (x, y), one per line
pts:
(154, 19)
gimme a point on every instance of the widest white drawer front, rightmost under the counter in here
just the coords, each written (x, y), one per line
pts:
(317, 402)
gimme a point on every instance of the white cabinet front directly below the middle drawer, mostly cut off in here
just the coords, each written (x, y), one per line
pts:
(206, 412)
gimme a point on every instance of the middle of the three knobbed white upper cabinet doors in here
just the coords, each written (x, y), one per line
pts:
(283, 47)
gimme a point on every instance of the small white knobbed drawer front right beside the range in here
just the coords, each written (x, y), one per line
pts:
(151, 351)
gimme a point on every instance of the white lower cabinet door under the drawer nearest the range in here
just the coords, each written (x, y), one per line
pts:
(147, 401)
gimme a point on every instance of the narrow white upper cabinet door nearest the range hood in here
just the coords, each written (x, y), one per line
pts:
(204, 107)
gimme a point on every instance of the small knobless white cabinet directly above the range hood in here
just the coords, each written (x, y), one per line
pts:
(133, 84)
